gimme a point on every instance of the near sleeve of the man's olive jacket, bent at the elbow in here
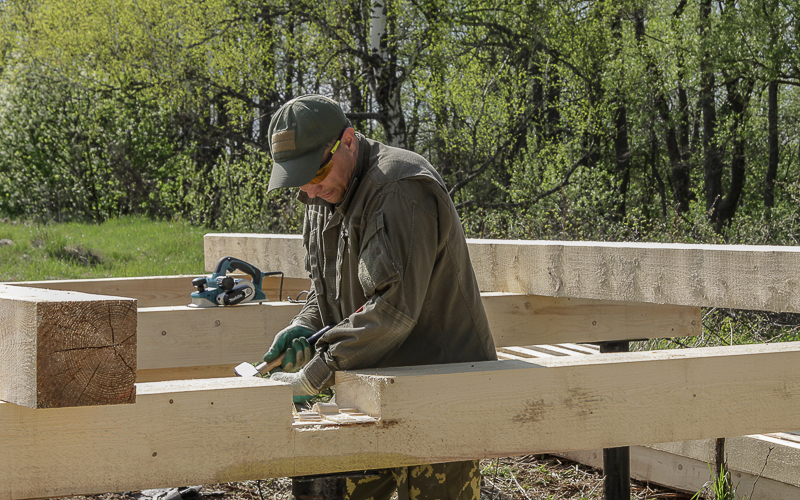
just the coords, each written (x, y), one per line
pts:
(397, 252)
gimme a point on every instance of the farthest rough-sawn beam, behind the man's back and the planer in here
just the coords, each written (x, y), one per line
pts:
(730, 276)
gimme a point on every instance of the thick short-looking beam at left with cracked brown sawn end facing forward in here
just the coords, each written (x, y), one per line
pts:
(62, 349)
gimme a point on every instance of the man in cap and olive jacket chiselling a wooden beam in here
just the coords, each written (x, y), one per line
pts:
(389, 266)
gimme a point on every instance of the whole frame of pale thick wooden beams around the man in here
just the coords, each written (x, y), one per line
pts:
(192, 423)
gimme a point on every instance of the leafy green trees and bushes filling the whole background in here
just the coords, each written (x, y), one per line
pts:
(560, 119)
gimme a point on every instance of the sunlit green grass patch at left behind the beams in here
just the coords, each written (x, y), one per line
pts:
(117, 248)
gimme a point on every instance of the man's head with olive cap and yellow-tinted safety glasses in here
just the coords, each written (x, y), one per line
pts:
(302, 134)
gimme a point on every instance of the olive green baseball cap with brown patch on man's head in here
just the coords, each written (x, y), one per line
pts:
(299, 132)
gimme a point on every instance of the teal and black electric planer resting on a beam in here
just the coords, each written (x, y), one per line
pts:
(219, 289)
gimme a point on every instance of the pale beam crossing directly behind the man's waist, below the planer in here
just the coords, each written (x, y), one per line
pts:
(212, 340)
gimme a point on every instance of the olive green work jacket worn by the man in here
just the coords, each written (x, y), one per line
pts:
(389, 266)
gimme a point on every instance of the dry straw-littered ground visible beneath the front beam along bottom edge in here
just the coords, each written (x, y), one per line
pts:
(540, 477)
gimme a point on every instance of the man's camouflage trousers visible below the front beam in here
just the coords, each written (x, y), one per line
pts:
(450, 481)
